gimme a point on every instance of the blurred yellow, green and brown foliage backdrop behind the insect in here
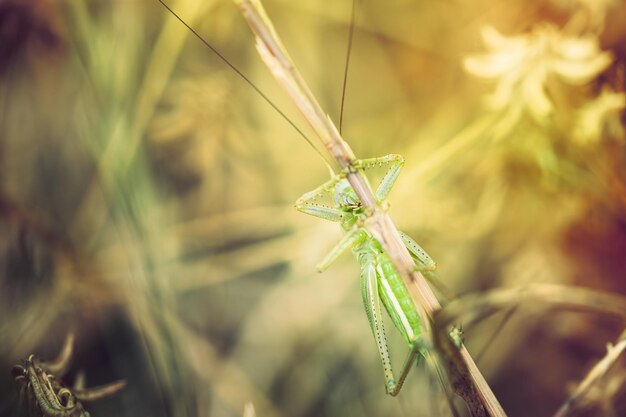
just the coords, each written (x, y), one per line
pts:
(146, 196)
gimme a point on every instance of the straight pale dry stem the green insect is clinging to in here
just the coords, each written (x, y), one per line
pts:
(461, 370)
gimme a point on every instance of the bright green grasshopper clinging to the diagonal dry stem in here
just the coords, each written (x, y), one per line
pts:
(380, 280)
